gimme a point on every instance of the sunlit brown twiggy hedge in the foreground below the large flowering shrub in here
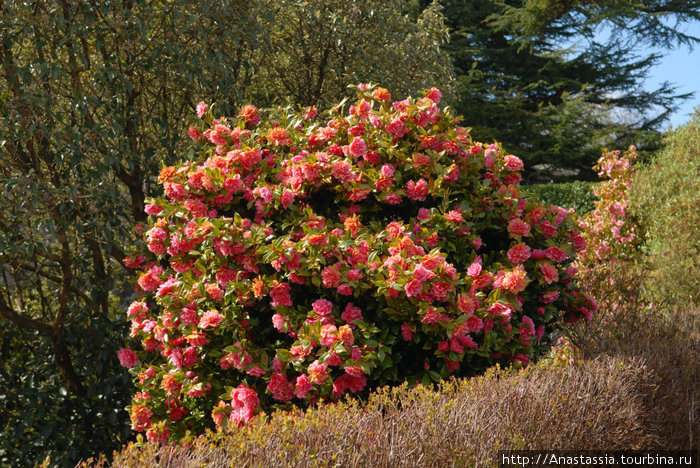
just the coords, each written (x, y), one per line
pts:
(599, 404)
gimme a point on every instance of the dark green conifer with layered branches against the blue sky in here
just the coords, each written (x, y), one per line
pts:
(534, 75)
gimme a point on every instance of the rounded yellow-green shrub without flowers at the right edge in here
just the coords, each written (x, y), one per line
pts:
(665, 200)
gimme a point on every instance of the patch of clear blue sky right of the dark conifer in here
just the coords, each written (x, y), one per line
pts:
(682, 68)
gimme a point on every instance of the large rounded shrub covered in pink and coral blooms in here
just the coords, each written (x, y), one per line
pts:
(296, 259)
